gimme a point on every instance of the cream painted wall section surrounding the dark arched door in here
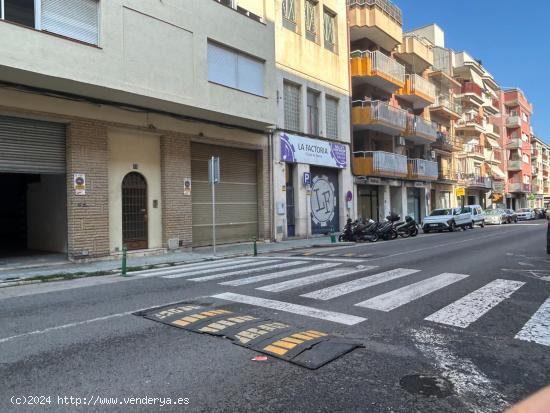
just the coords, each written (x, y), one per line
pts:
(125, 150)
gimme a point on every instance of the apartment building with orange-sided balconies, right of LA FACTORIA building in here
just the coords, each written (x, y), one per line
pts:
(392, 162)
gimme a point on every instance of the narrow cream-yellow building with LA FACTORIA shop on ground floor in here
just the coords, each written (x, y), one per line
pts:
(313, 187)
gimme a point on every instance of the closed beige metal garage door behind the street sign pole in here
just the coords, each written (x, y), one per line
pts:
(236, 195)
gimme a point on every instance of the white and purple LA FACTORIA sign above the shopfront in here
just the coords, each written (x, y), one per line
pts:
(297, 149)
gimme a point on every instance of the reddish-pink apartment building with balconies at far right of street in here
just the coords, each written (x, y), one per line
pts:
(517, 125)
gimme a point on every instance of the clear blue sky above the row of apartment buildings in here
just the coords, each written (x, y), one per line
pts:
(510, 37)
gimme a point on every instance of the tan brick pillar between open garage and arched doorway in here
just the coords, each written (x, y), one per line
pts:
(88, 215)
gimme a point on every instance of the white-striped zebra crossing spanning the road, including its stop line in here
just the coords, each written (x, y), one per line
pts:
(290, 274)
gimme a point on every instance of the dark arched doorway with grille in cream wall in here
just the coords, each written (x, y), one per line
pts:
(134, 211)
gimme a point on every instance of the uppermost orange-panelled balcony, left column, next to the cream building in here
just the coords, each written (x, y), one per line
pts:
(377, 69)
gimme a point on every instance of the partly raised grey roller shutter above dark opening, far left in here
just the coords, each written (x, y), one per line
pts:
(31, 146)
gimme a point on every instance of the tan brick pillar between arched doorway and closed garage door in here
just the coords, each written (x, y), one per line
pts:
(175, 155)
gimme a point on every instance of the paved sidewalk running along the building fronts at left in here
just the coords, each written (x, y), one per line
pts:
(178, 257)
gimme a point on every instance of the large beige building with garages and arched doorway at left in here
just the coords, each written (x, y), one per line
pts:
(109, 112)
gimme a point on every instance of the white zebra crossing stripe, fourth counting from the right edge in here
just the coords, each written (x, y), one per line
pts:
(359, 284)
